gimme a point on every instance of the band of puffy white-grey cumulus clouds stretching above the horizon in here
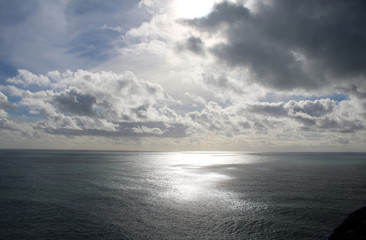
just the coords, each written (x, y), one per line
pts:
(110, 105)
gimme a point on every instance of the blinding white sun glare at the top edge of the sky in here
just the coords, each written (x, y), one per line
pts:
(192, 8)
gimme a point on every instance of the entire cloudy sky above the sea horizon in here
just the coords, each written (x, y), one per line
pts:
(175, 75)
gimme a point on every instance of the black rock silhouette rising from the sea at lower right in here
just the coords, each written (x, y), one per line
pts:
(352, 228)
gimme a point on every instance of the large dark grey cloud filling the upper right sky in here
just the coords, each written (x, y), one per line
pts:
(292, 44)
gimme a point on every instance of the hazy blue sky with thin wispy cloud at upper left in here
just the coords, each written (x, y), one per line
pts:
(45, 35)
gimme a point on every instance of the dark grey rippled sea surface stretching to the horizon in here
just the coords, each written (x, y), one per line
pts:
(177, 195)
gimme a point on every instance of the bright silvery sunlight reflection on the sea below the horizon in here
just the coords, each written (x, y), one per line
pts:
(190, 179)
